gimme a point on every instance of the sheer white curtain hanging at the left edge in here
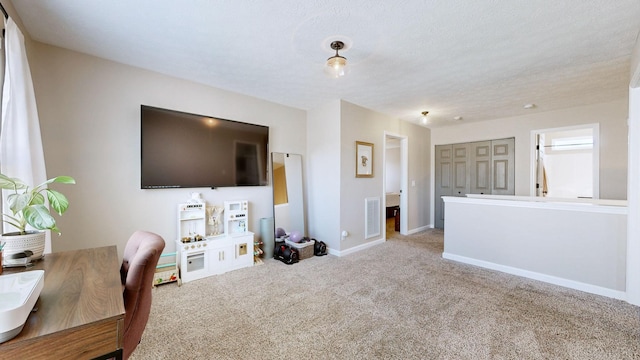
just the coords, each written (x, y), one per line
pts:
(21, 153)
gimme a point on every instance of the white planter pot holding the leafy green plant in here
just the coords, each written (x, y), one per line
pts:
(22, 249)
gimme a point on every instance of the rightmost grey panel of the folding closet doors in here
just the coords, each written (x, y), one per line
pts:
(503, 167)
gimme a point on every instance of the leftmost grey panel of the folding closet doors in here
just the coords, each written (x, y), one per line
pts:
(443, 181)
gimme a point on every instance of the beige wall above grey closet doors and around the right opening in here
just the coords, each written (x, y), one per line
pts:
(611, 116)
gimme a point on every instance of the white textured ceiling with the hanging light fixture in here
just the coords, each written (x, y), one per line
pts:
(480, 59)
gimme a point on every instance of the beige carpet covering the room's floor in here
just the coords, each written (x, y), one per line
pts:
(397, 300)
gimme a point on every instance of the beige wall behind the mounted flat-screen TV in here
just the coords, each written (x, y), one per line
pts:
(90, 120)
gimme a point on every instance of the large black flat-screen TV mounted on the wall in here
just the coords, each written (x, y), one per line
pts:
(182, 150)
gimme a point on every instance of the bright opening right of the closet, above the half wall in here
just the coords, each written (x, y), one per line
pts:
(566, 162)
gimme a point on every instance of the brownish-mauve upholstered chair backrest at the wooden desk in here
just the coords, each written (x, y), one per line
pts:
(139, 263)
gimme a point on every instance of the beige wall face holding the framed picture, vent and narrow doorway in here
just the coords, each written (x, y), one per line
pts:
(361, 124)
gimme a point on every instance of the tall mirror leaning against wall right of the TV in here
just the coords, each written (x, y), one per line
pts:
(288, 197)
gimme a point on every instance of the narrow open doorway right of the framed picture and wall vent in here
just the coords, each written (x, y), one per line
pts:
(394, 184)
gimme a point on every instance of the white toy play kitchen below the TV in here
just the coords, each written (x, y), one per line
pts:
(203, 249)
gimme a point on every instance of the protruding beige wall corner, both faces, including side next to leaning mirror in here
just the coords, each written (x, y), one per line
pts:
(336, 196)
